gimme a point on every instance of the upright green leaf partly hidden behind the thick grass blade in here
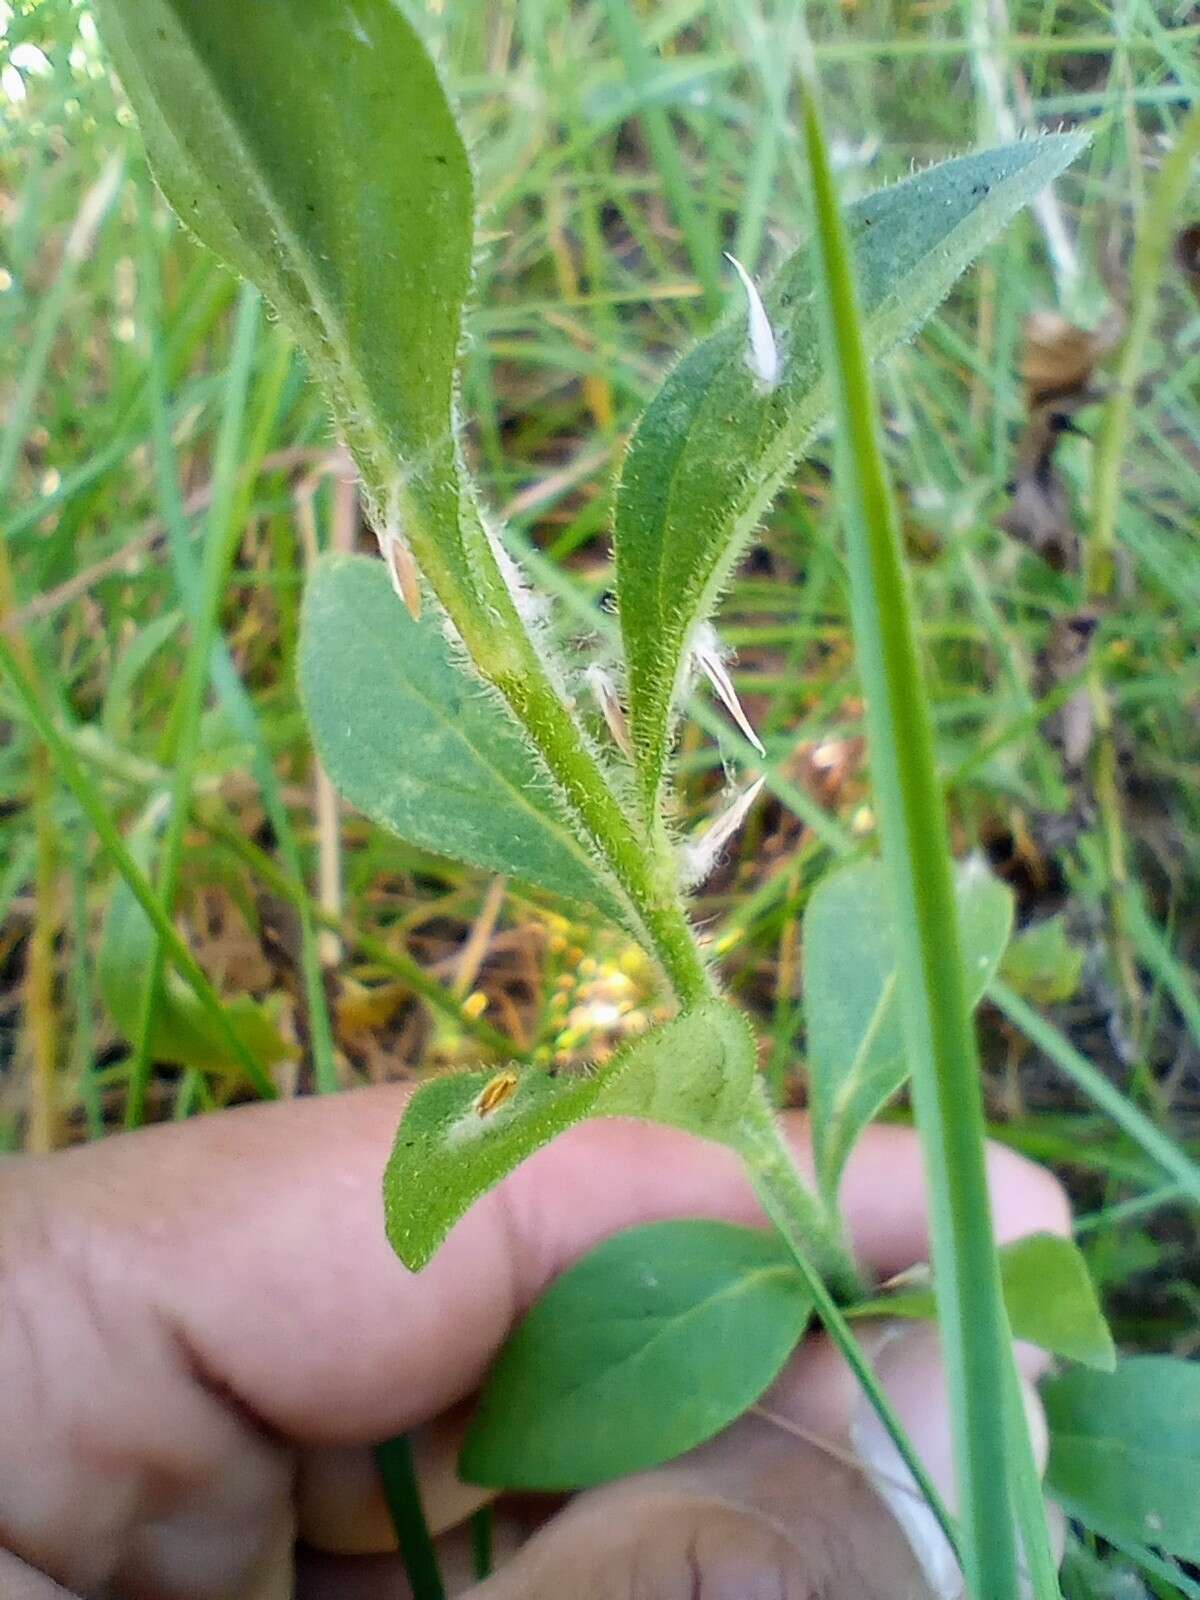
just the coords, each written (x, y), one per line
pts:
(857, 1058)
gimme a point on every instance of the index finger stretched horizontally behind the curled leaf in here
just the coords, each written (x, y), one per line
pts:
(257, 1239)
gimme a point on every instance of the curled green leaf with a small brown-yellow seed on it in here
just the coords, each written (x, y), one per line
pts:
(463, 1134)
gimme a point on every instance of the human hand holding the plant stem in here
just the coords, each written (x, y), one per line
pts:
(202, 1330)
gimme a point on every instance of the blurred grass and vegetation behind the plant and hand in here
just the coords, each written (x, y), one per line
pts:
(150, 406)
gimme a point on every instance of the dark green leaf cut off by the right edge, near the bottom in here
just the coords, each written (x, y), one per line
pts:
(1126, 1452)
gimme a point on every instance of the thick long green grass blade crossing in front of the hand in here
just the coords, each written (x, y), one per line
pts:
(916, 844)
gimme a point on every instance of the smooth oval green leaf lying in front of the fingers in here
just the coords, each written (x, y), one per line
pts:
(647, 1348)
